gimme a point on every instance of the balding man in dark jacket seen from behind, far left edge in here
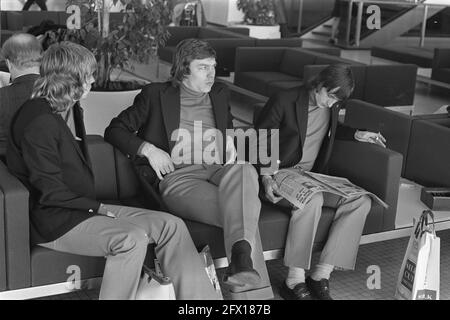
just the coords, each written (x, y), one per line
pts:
(22, 53)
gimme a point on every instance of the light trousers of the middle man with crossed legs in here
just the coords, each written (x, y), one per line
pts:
(225, 196)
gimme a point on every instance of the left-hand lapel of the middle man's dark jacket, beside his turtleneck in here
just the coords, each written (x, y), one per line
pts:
(170, 108)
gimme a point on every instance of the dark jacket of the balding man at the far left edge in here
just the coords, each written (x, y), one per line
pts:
(11, 98)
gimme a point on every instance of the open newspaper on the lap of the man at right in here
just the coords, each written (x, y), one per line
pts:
(298, 186)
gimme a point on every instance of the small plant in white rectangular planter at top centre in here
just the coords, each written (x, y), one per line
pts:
(260, 17)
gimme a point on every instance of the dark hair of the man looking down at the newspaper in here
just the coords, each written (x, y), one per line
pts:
(333, 76)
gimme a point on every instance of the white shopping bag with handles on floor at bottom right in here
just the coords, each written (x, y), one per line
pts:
(419, 274)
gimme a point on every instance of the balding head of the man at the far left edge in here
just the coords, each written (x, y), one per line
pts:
(23, 51)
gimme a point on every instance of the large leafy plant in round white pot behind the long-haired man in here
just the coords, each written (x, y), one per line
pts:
(118, 41)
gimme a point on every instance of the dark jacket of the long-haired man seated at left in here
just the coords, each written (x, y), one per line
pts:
(54, 167)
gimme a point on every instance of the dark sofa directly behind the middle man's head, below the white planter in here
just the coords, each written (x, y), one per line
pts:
(225, 41)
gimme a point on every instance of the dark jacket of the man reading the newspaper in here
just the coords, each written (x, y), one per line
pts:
(288, 111)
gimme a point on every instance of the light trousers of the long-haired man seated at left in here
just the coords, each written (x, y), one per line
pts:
(124, 240)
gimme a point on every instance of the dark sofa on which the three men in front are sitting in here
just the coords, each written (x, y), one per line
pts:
(27, 267)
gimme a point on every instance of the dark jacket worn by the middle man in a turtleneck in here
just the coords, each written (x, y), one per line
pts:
(154, 115)
